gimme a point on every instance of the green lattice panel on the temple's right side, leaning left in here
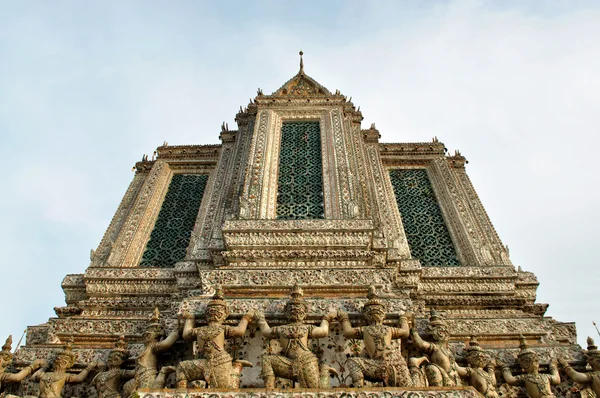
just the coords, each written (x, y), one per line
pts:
(424, 225)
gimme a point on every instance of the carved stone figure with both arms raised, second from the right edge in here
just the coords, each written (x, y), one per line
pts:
(536, 384)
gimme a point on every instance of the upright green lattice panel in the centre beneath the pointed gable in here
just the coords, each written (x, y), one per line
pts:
(300, 183)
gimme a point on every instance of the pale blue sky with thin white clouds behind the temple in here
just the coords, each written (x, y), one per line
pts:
(86, 88)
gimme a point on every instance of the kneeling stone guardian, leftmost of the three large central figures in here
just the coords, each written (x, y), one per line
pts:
(214, 364)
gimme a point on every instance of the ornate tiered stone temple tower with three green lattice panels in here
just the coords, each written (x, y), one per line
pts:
(301, 198)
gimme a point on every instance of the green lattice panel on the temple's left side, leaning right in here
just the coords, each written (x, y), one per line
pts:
(171, 234)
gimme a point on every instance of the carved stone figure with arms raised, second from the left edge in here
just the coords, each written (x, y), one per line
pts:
(52, 383)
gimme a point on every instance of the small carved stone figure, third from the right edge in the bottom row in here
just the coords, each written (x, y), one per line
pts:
(480, 372)
